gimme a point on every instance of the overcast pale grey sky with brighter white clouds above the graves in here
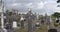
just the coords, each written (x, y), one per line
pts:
(38, 6)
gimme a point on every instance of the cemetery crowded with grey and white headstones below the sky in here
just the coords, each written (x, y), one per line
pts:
(12, 21)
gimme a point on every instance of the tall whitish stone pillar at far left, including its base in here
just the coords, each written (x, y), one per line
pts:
(2, 14)
